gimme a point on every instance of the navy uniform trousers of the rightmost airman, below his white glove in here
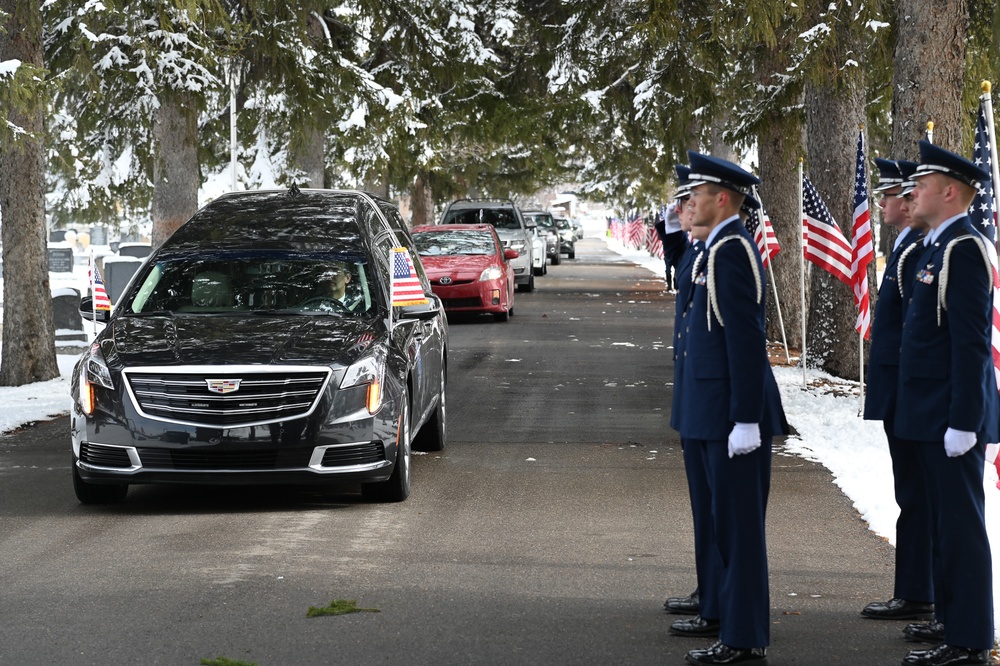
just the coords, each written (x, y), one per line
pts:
(963, 582)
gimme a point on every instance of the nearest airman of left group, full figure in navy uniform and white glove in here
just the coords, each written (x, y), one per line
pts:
(728, 408)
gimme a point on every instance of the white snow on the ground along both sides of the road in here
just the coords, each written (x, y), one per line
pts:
(825, 417)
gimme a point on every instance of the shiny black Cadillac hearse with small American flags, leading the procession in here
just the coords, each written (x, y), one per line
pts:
(277, 337)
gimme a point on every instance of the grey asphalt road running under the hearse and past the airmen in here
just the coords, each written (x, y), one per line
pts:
(548, 532)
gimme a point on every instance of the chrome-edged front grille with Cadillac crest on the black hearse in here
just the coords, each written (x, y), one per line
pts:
(241, 397)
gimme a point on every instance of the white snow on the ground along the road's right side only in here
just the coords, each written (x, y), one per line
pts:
(825, 413)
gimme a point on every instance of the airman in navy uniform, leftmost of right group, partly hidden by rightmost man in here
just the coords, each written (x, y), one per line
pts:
(913, 591)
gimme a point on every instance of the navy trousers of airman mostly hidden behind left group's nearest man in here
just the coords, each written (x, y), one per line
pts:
(706, 550)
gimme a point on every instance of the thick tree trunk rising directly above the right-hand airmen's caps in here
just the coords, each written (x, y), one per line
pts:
(929, 74)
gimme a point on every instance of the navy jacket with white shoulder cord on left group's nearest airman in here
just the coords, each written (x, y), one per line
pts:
(726, 377)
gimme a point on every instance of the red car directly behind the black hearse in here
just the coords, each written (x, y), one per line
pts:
(468, 267)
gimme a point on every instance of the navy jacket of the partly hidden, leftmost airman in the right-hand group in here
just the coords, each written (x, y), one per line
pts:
(887, 332)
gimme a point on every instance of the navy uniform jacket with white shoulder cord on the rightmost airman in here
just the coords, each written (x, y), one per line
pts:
(945, 369)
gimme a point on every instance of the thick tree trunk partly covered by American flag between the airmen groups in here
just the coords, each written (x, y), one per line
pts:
(832, 120)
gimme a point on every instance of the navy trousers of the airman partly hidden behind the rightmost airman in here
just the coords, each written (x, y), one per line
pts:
(914, 527)
